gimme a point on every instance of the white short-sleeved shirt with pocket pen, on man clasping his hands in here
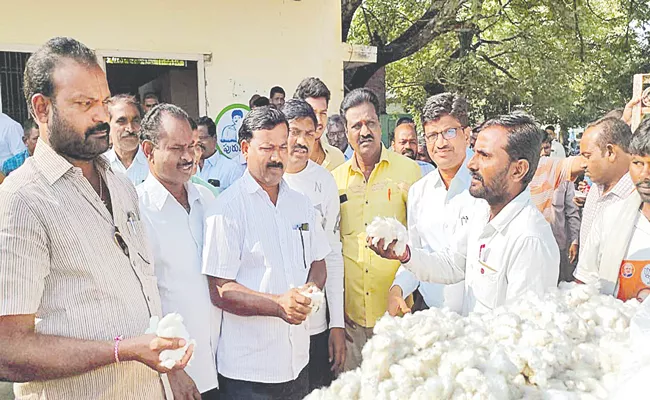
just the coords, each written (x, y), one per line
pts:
(259, 245)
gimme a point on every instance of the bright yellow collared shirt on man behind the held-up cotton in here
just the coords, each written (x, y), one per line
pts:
(368, 277)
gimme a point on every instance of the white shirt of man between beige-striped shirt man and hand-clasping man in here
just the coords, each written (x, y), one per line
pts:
(176, 238)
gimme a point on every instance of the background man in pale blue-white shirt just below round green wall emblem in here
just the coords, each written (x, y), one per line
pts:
(217, 169)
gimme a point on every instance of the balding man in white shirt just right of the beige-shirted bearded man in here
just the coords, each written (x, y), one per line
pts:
(173, 211)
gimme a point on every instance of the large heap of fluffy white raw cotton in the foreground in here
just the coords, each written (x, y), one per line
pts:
(568, 345)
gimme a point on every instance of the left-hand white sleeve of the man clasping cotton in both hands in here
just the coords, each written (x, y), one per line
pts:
(223, 242)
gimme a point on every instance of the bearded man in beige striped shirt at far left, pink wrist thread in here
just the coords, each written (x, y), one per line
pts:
(74, 251)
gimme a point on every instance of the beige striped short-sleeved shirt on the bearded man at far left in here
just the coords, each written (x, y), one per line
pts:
(60, 262)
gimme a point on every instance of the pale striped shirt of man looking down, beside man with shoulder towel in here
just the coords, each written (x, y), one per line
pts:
(596, 202)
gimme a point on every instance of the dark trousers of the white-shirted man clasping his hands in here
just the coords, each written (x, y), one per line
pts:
(233, 389)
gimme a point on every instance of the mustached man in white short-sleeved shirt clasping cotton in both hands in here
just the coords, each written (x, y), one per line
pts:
(263, 247)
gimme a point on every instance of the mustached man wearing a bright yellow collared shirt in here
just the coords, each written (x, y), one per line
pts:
(374, 182)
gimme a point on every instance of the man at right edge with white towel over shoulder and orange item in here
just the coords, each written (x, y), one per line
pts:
(617, 251)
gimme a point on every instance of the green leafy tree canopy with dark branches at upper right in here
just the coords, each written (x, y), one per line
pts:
(564, 61)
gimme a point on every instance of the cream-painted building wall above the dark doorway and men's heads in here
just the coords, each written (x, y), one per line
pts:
(255, 44)
